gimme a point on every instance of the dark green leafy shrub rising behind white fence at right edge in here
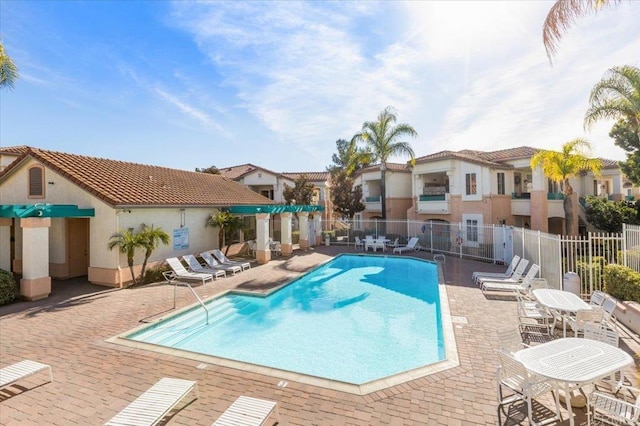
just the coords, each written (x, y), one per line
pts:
(609, 216)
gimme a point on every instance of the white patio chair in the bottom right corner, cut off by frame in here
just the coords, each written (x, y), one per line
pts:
(608, 409)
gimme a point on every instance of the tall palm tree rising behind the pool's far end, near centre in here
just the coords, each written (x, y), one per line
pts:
(381, 140)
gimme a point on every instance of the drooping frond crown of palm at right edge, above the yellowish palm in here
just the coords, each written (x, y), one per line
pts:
(616, 96)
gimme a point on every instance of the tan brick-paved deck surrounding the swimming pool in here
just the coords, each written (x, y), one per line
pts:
(94, 379)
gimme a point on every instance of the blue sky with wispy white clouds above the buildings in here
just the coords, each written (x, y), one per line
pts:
(194, 84)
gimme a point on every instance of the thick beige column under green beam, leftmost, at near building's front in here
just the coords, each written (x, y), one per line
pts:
(36, 282)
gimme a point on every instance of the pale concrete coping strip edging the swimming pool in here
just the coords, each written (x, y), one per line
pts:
(451, 352)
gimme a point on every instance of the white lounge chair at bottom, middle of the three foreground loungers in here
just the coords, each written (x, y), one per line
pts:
(153, 405)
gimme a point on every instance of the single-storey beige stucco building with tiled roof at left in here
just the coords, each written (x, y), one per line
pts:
(58, 212)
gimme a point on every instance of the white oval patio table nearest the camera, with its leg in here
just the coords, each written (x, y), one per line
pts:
(575, 362)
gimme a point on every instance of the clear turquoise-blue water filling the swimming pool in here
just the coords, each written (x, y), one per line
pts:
(354, 319)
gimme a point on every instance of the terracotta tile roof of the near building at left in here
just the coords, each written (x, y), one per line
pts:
(121, 183)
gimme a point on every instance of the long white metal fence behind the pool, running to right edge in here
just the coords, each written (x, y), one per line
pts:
(556, 255)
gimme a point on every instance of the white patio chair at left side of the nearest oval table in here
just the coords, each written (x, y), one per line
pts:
(524, 385)
